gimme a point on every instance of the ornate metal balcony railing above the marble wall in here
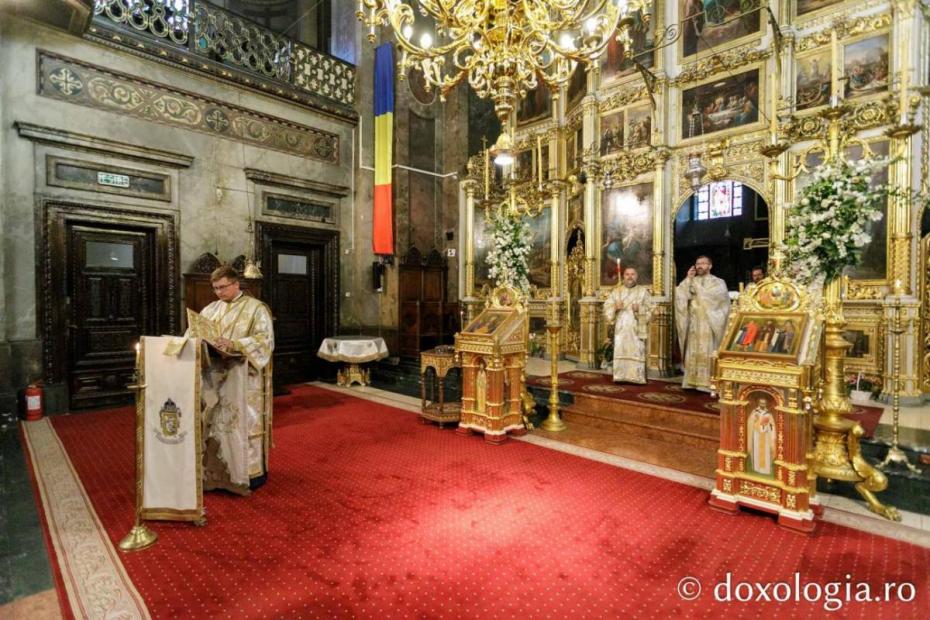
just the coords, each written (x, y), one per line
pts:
(199, 35)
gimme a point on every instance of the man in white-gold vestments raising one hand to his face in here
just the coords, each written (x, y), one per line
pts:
(702, 304)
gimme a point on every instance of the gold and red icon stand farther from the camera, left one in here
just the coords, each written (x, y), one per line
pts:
(492, 349)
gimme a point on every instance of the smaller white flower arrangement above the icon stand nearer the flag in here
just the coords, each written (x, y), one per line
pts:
(509, 250)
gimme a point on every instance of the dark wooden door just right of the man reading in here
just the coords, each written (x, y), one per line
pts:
(296, 303)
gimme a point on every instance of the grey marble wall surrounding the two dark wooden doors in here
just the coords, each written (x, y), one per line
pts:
(212, 199)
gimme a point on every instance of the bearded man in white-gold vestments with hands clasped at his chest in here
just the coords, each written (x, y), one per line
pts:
(629, 308)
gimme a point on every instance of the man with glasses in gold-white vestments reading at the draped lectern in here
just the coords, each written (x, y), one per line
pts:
(236, 387)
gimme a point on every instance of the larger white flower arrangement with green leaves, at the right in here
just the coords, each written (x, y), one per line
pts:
(829, 224)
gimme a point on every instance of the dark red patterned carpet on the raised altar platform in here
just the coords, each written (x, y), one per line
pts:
(667, 394)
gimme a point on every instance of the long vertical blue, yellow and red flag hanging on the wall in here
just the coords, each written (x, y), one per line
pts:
(383, 217)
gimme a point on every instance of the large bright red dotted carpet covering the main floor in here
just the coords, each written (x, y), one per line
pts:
(368, 513)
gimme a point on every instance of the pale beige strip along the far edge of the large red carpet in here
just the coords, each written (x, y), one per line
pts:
(913, 528)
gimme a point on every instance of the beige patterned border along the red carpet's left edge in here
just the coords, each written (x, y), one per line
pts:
(94, 578)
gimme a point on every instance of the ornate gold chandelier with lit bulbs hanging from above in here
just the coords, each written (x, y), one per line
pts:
(504, 48)
